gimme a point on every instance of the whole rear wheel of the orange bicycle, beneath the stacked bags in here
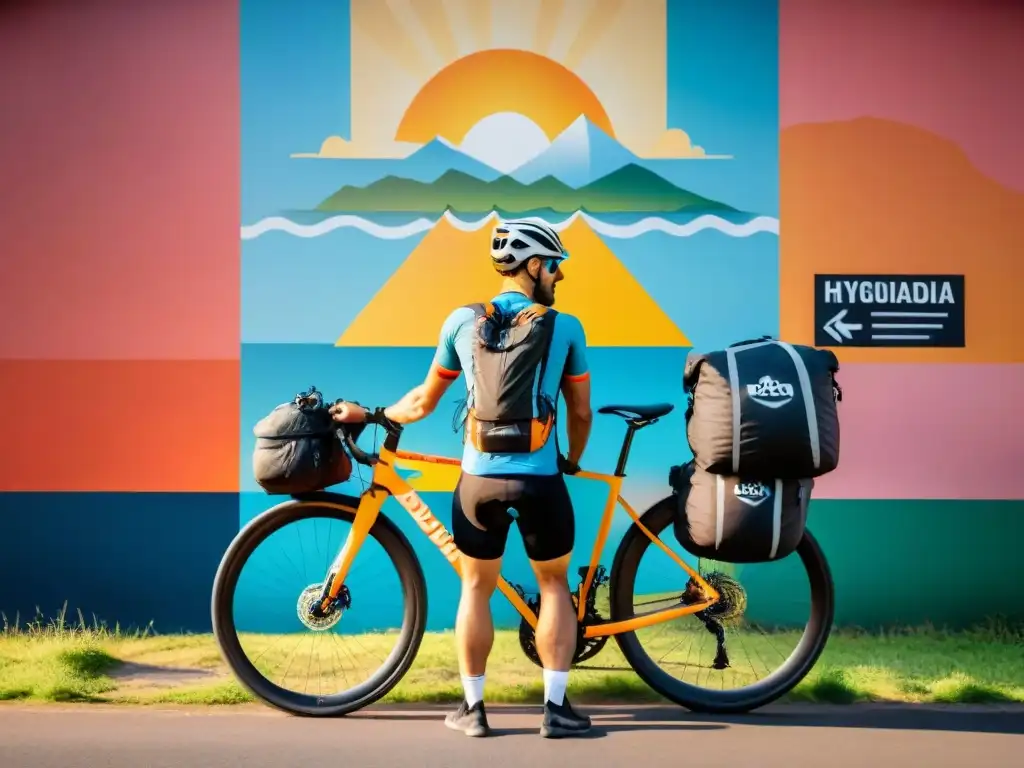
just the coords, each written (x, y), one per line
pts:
(752, 648)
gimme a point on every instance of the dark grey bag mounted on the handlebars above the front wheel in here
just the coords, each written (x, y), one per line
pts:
(300, 449)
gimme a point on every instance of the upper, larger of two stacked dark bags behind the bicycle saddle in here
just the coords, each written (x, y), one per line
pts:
(763, 409)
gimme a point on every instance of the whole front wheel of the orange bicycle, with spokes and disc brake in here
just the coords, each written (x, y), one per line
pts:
(292, 660)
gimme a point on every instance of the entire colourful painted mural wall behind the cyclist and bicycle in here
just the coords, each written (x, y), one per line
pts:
(722, 155)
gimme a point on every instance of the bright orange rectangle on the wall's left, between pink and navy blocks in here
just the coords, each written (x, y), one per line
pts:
(120, 425)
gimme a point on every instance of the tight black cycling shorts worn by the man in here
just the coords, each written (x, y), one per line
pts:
(485, 507)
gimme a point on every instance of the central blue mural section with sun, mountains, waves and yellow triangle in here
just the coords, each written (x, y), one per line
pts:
(368, 205)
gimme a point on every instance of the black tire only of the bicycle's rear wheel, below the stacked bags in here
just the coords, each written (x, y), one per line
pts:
(779, 684)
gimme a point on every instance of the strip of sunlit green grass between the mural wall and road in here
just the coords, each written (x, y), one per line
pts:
(61, 662)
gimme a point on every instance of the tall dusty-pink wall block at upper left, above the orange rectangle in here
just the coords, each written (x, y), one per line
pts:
(119, 210)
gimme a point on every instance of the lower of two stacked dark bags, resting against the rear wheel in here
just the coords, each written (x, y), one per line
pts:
(739, 521)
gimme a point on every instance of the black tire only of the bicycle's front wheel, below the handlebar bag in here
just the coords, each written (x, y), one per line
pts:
(413, 582)
